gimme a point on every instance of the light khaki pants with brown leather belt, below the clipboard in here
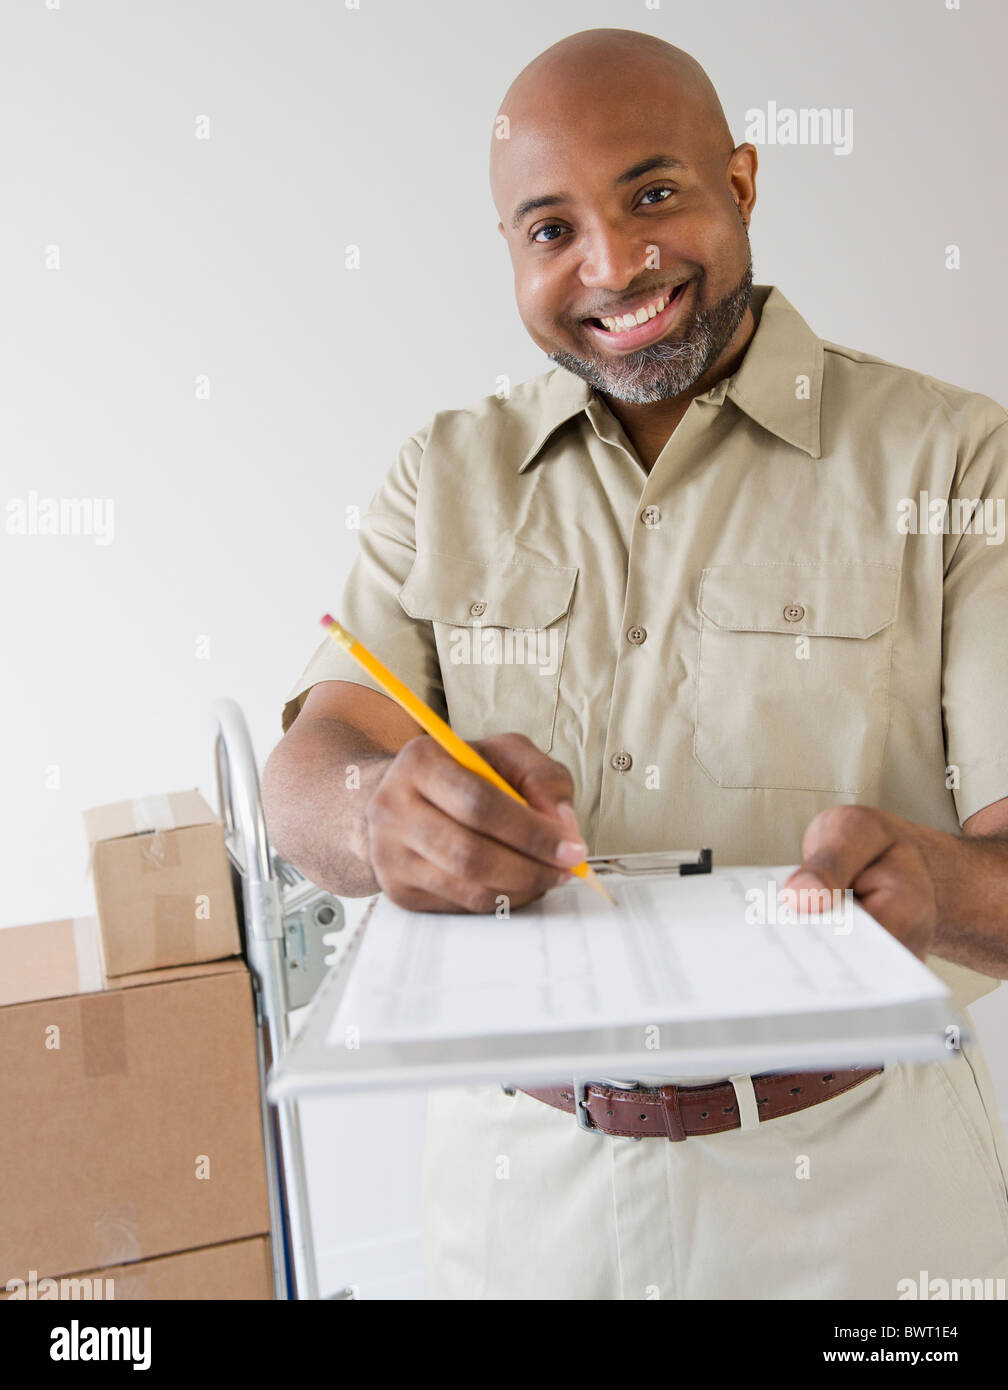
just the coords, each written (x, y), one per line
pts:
(904, 1174)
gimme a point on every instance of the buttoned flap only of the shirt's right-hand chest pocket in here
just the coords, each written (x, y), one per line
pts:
(814, 600)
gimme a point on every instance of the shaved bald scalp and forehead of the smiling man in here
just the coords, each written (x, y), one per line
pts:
(608, 77)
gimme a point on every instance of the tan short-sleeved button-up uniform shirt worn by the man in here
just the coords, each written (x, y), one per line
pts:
(756, 630)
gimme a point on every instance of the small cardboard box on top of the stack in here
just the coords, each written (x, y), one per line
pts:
(162, 883)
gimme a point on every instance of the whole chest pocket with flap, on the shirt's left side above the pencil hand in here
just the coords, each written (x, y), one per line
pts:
(501, 632)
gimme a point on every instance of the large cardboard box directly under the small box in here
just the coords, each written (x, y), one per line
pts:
(131, 1110)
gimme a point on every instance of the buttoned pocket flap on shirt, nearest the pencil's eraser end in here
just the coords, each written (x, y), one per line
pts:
(453, 589)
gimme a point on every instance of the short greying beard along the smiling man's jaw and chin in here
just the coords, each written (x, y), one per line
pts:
(674, 366)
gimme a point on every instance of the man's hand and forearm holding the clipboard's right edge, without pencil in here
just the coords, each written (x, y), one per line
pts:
(936, 893)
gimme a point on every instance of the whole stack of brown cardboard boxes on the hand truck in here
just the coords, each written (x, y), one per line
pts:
(133, 1145)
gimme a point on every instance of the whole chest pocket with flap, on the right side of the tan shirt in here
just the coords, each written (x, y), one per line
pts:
(793, 675)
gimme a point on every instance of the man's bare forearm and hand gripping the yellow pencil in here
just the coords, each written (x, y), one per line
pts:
(411, 822)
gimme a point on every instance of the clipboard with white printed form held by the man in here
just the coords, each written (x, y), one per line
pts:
(496, 1049)
